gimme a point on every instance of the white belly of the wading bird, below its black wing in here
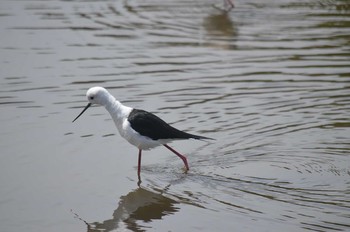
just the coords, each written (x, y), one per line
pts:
(133, 137)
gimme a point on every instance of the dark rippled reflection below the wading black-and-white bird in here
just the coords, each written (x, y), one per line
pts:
(136, 207)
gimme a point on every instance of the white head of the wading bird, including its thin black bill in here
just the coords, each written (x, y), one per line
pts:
(97, 95)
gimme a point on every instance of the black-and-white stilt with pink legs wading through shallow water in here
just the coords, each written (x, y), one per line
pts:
(140, 128)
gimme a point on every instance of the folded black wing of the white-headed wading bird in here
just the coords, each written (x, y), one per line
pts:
(148, 124)
